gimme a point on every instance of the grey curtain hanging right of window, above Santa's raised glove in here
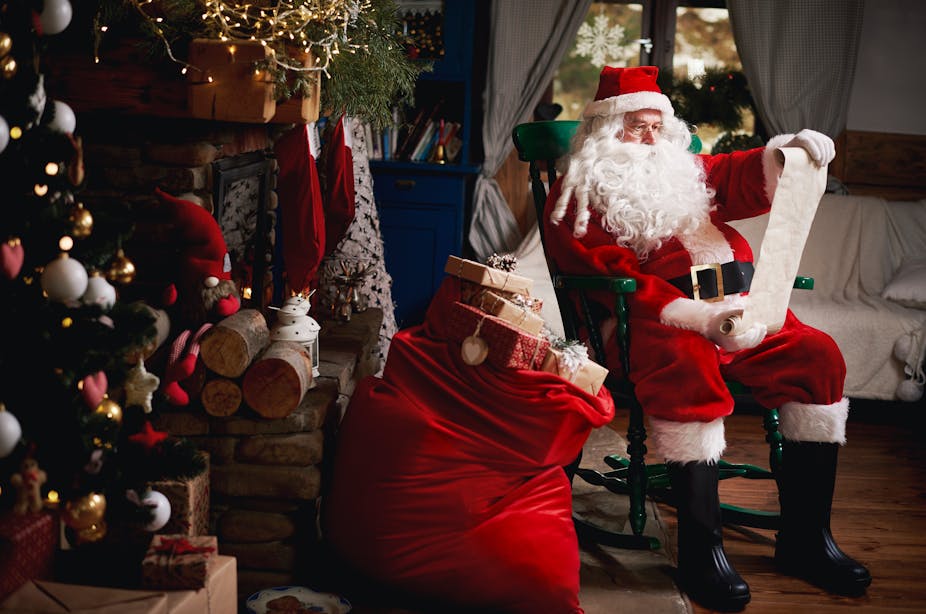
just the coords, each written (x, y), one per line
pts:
(799, 57)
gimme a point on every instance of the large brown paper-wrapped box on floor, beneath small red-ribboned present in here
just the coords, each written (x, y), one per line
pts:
(219, 596)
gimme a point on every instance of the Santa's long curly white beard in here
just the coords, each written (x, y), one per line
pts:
(645, 194)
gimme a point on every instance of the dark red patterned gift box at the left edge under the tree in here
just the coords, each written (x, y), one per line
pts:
(28, 543)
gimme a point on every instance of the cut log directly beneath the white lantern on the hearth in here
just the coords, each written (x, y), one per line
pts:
(275, 383)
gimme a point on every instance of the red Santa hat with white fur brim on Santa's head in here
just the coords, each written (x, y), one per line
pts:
(623, 90)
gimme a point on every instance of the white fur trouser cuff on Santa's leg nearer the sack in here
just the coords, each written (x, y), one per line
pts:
(683, 442)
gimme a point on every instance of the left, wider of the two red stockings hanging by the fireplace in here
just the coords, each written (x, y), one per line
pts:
(302, 215)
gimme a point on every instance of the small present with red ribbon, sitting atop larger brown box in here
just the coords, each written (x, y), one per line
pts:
(178, 561)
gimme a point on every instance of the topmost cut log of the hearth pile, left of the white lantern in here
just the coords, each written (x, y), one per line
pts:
(229, 347)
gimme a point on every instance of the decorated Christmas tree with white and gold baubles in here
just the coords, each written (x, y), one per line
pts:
(75, 394)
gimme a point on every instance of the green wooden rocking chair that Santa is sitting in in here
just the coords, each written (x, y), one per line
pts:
(541, 144)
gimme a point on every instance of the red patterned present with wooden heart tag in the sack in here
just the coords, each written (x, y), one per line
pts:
(505, 345)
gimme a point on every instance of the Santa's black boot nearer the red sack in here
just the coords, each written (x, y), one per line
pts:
(704, 573)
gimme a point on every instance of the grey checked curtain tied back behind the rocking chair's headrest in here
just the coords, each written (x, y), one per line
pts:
(526, 44)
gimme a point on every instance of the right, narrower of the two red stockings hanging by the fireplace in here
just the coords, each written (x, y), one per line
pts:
(339, 184)
